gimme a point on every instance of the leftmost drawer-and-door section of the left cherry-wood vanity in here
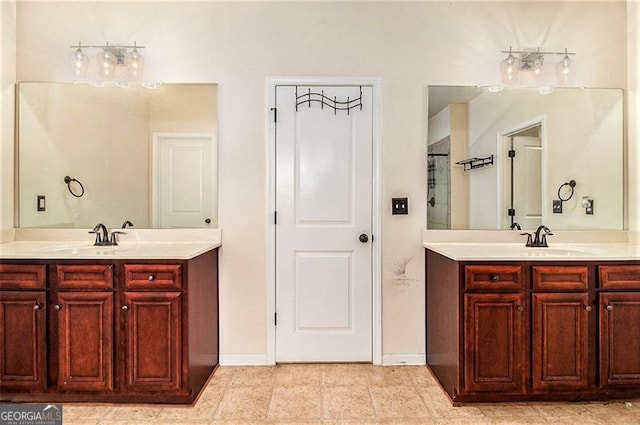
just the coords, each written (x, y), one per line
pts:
(23, 327)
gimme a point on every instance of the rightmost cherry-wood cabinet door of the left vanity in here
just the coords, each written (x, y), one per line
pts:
(153, 338)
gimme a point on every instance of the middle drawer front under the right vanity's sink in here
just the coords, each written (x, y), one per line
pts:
(560, 278)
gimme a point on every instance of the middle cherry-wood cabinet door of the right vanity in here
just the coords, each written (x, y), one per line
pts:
(561, 341)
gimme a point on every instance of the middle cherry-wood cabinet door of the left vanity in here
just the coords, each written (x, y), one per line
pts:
(85, 341)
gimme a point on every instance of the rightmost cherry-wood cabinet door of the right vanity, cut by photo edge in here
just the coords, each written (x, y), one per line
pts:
(620, 339)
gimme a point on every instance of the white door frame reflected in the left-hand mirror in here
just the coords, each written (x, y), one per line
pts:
(154, 172)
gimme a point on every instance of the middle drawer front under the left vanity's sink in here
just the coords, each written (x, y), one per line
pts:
(84, 276)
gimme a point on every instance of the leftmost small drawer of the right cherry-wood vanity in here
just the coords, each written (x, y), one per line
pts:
(493, 277)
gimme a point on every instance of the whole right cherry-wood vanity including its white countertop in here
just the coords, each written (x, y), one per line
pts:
(507, 322)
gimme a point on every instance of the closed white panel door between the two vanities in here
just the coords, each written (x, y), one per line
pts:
(324, 206)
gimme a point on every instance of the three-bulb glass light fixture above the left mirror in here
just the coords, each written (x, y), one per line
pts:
(108, 59)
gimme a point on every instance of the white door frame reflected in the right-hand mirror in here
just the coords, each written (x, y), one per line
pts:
(503, 166)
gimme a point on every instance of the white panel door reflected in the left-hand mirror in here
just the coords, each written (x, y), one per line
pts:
(183, 193)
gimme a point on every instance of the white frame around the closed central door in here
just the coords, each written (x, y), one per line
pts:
(376, 294)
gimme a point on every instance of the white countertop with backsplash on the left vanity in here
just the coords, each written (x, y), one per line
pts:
(173, 244)
